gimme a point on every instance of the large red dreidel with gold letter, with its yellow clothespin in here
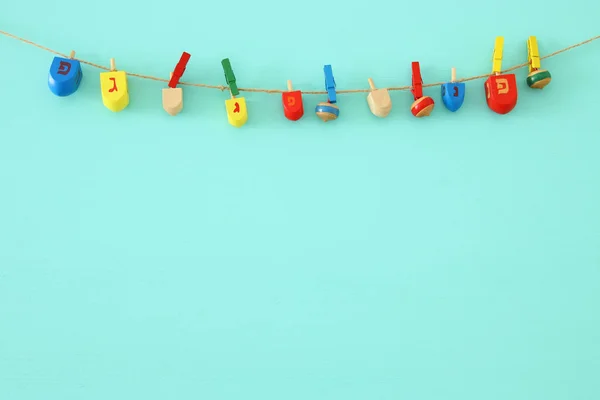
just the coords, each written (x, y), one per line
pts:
(500, 89)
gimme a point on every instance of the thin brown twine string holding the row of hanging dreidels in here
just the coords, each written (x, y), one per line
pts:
(273, 91)
